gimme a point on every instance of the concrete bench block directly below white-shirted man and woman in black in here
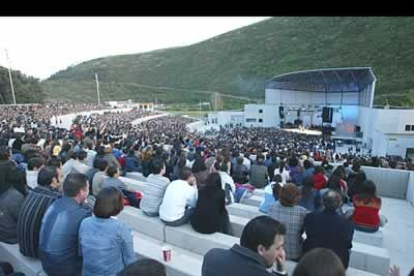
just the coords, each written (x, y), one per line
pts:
(187, 238)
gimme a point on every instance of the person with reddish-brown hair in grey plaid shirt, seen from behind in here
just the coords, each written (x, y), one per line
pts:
(292, 216)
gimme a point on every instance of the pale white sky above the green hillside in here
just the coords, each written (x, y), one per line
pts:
(41, 46)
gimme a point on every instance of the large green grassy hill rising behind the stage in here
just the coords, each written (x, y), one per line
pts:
(238, 63)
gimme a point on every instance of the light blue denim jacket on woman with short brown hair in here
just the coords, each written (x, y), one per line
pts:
(106, 245)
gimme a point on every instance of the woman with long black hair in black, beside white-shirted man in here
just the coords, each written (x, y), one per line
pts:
(210, 214)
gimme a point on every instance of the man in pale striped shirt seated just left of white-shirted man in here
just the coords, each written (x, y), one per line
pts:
(154, 189)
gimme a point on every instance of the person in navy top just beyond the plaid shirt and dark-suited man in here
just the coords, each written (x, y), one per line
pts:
(310, 198)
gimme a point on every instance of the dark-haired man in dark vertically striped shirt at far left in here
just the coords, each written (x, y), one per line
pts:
(34, 207)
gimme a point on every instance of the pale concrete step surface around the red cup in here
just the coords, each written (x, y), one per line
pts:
(183, 263)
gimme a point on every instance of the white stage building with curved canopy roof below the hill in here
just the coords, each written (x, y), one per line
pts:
(349, 92)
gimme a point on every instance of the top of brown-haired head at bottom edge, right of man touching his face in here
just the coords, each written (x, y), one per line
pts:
(319, 262)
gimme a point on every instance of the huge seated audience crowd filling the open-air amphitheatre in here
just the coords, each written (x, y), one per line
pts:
(61, 189)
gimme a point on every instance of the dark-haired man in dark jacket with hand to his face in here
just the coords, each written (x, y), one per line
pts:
(260, 252)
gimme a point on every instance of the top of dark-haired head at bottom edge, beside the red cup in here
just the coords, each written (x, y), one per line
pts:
(147, 267)
